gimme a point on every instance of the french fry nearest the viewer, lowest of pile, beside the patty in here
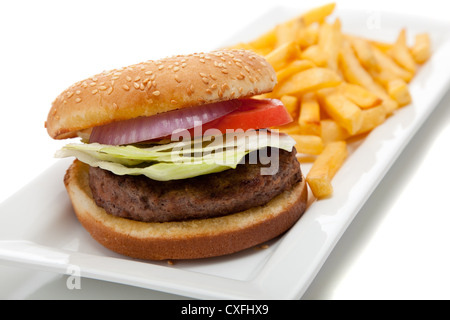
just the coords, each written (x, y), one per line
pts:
(325, 167)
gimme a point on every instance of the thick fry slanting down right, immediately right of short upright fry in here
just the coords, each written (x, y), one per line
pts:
(341, 109)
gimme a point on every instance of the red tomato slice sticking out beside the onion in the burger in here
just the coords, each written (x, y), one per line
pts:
(252, 114)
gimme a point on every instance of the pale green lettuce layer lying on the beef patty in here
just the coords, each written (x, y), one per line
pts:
(177, 160)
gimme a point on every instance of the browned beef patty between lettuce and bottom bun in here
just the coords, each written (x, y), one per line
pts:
(143, 199)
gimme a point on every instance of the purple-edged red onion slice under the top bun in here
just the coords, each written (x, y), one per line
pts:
(160, 125)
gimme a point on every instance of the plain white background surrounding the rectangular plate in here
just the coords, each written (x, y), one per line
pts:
(398, 246)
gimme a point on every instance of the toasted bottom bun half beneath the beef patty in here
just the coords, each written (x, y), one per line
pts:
(191, 239)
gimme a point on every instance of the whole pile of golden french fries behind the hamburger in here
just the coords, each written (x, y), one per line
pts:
(335, 85)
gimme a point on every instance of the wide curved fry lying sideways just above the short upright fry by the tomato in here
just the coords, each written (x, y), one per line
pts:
(308, 80)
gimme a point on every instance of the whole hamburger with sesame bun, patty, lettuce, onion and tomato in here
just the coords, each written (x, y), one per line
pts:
(177, 159)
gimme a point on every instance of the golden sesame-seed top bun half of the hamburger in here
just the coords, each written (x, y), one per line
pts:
(153, 87)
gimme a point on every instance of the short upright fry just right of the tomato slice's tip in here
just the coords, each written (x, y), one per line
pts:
(309, 118)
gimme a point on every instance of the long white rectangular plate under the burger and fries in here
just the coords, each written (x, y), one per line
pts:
(39, 229)
